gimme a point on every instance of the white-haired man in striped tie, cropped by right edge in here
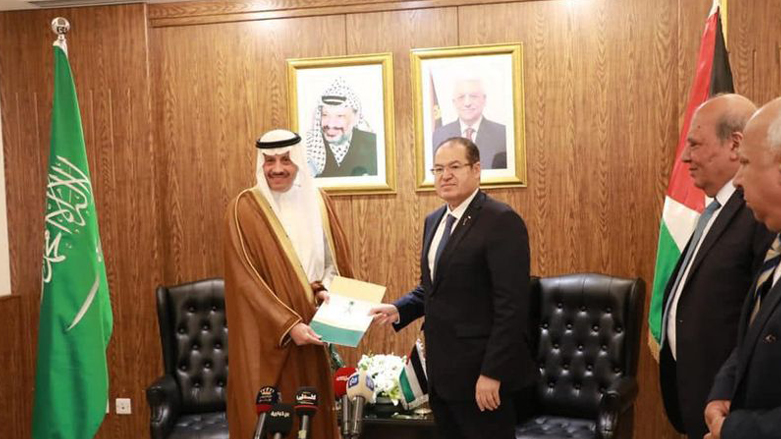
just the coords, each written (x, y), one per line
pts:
(745, 401)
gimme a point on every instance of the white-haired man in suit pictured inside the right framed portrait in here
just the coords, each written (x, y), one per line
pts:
(491, 138)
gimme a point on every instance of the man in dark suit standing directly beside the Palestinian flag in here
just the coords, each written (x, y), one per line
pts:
(705, 293)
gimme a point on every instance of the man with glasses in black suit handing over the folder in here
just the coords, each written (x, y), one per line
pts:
(474, 293)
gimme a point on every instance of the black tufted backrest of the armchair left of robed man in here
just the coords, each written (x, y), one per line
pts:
(194, 336)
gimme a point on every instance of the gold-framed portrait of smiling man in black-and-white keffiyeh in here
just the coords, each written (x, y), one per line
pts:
(343, 109)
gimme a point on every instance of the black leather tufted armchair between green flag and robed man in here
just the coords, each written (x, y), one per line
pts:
(188, 401)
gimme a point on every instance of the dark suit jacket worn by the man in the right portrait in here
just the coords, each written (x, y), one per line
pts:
(491, 141)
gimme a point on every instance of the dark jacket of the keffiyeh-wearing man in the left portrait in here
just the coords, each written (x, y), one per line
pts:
(361, 158)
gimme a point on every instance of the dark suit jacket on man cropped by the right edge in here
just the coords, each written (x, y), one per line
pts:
(750, 376)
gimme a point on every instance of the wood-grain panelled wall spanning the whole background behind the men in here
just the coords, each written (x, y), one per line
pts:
(171, 113)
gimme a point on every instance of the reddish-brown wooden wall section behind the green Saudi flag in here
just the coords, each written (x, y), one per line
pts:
(107, 49)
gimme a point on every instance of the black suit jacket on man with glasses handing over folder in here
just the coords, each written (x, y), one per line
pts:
(477, 307)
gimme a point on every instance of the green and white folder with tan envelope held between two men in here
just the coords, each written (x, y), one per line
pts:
(345, 318)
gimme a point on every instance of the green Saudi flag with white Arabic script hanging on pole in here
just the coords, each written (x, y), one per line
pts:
(71, 377)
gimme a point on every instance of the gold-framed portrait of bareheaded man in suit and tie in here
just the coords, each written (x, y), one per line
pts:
(474, 92)
